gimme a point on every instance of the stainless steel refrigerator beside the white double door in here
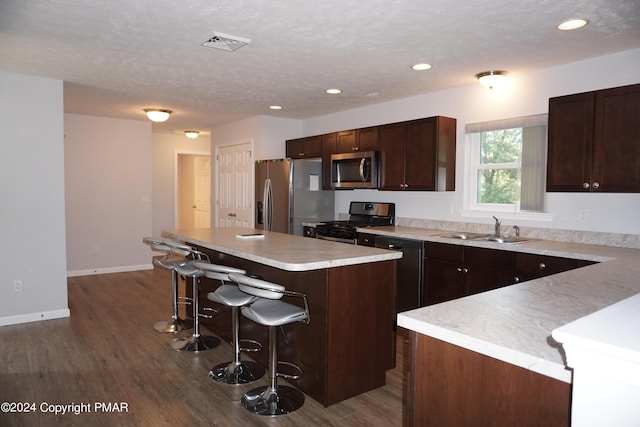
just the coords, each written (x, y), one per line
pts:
(289, 192)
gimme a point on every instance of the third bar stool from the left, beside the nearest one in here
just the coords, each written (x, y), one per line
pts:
(237, 371)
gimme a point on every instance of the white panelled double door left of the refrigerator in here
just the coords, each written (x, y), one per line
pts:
(234, 206)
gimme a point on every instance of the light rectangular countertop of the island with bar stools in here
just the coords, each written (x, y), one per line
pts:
(279, 250)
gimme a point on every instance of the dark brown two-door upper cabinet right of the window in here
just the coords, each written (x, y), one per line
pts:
(594, 141)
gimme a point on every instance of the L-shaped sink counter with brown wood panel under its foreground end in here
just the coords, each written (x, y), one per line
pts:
(490, 358)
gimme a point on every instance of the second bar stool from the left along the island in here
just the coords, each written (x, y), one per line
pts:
(196, 342)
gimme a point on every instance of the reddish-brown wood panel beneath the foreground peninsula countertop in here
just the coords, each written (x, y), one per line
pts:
(453, 386)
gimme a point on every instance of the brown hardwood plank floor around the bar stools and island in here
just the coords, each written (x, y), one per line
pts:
(107, 352)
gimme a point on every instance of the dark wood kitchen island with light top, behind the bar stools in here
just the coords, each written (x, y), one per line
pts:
(349, 344)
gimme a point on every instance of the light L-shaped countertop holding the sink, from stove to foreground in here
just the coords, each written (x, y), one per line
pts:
(514, 323)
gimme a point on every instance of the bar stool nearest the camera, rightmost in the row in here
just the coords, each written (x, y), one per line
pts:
(272, 399)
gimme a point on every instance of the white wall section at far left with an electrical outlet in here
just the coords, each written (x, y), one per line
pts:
(32, 208)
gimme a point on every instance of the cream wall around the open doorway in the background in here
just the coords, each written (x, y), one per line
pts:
(165, 148)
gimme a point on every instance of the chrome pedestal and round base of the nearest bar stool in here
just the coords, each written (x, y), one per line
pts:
(273, 399)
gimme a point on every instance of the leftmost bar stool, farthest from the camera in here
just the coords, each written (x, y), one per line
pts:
(175, 253)
